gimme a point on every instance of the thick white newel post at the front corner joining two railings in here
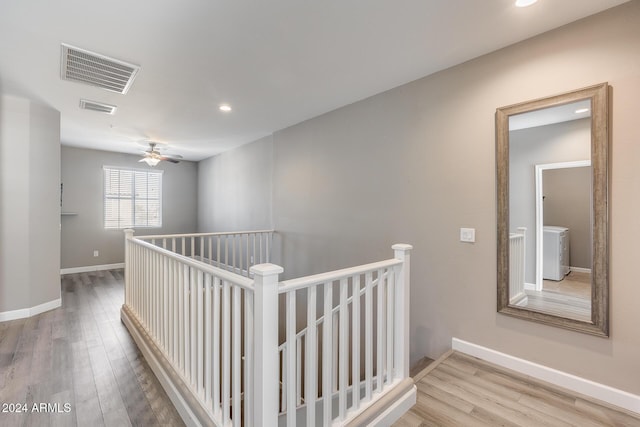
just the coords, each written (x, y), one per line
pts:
(265, 359)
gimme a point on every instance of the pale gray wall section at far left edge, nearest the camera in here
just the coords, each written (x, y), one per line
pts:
(29, 204)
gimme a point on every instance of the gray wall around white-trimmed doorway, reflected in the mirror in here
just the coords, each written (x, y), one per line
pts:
(560, 142)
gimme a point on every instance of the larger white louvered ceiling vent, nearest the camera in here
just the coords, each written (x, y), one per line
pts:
(82, 66)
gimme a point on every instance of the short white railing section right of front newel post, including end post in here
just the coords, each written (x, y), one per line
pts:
(354, 349)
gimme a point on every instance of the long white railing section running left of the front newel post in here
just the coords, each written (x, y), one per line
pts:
(201, 319)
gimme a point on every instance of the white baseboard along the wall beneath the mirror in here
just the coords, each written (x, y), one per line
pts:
(610, 395)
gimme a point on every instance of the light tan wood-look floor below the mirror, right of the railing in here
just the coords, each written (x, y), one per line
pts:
(464, 391)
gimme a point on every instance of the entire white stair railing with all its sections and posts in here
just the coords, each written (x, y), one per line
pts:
(218, 332)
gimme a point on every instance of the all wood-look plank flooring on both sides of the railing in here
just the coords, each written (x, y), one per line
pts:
(82, 355)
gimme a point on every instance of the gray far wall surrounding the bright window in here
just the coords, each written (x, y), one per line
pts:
(83, 233)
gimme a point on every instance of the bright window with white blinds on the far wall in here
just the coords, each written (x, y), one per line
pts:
(132, 198)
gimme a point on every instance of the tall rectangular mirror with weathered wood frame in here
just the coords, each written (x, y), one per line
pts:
(552, 207)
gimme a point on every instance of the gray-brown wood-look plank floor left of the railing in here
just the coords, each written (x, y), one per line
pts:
(83, 356)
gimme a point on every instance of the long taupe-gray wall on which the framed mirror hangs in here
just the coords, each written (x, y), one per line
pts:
(416, 163)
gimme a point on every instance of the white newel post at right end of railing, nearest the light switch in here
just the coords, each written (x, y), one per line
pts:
(402, 252)
